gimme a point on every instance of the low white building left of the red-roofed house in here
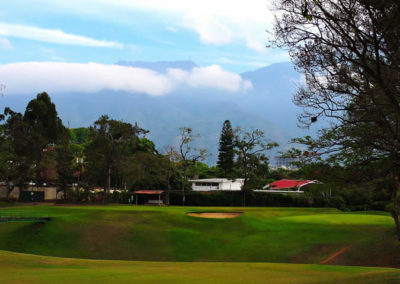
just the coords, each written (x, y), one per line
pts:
(211, 184)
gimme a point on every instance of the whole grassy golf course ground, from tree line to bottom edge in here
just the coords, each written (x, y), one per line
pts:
(153, 243)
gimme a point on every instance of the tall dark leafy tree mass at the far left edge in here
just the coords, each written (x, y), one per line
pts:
(27, 137)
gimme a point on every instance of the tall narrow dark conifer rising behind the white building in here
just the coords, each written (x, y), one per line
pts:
(226, 153)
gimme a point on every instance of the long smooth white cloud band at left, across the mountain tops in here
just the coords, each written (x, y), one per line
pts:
(55, 77)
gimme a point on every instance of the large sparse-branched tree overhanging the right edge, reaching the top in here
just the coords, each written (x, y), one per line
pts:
(348, 51)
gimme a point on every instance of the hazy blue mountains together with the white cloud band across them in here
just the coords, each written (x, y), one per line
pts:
(163, 97)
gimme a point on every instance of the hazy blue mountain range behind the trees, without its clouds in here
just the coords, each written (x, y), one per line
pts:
(267, 106)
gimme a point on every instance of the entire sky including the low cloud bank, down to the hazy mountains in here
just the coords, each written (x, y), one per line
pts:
(72, 46)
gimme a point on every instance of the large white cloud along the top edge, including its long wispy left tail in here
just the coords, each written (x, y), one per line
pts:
(217, 22)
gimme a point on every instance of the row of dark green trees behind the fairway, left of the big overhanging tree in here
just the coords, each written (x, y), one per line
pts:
(36, 148)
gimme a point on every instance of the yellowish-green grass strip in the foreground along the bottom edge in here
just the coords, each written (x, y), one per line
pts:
(22, 268)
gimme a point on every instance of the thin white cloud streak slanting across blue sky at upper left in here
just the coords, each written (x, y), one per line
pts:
(52, 36)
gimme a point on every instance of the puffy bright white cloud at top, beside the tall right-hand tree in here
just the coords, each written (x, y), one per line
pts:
(216, 22)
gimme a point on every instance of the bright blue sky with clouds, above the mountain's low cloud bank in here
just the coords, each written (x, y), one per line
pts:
(230, 34)
